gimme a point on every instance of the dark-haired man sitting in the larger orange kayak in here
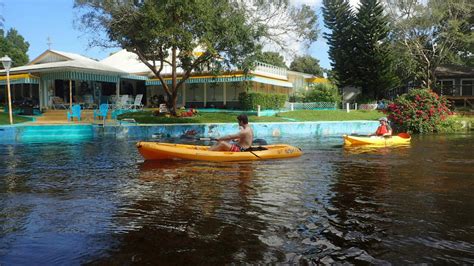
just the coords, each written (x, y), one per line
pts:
(244, 137)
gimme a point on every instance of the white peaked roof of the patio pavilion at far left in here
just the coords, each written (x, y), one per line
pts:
(61, 61)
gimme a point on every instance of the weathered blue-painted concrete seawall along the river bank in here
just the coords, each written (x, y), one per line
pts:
(261, 130)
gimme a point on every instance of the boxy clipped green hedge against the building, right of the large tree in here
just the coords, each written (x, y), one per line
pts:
(250, 101)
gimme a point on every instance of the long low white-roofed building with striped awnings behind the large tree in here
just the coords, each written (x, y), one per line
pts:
(55, 76)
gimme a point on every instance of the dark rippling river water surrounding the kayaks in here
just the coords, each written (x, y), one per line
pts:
(97, 202)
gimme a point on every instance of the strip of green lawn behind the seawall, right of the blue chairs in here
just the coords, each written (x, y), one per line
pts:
(146, 117)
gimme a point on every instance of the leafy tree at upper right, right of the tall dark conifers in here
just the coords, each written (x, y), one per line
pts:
(431, 33)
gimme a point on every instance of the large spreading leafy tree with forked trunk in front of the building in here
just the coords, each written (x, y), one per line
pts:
(190, 35)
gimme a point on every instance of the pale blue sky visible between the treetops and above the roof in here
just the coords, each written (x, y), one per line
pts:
(38, 20)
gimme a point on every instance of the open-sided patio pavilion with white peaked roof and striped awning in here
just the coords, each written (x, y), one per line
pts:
(55, 75)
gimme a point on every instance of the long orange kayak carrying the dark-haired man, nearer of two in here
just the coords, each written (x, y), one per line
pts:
(163, 151)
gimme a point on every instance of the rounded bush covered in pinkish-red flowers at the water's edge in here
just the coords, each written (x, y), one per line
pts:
(418, 111)
